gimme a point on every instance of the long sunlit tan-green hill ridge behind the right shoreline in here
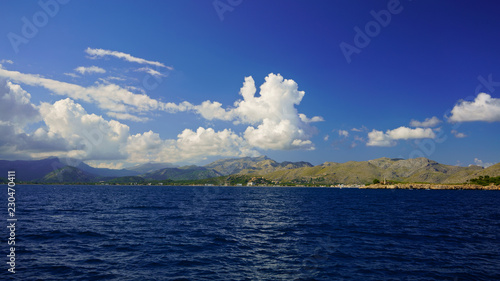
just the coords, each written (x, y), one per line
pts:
(411, 170)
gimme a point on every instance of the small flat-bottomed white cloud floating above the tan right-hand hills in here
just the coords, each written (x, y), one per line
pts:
(389, 138)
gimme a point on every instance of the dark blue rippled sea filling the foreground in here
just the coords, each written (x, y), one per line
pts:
(259, 233)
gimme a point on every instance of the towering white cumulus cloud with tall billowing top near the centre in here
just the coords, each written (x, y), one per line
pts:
(273, 118)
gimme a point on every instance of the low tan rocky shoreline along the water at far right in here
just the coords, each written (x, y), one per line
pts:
(432, 186)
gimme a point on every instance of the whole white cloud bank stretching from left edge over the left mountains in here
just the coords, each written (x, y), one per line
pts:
(69, 131)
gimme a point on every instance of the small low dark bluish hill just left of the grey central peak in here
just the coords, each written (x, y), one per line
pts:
(182, 173)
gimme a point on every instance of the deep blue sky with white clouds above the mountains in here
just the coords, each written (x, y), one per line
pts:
(119, 83)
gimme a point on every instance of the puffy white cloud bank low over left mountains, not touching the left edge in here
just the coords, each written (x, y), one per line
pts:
(91, 137)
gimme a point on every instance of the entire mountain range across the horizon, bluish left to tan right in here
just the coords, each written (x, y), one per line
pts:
(57, 170)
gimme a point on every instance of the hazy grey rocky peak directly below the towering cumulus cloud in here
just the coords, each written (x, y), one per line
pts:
(252, 165)
